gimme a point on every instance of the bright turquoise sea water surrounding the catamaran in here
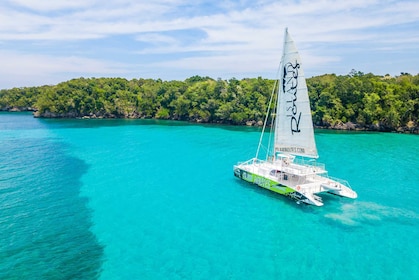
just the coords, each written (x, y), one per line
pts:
(142, 199)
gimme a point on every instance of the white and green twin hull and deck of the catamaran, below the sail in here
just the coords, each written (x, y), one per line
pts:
(298, 180)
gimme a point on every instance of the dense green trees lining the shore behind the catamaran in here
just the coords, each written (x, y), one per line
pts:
(357, 100)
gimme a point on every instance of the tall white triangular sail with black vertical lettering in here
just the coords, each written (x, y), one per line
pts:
(294, 132)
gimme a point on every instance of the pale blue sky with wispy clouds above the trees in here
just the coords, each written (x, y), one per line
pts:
(47, 42)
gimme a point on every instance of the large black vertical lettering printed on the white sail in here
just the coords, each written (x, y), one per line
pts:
(289, 87)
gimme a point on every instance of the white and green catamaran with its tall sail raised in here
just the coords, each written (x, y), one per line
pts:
(290, 166)
